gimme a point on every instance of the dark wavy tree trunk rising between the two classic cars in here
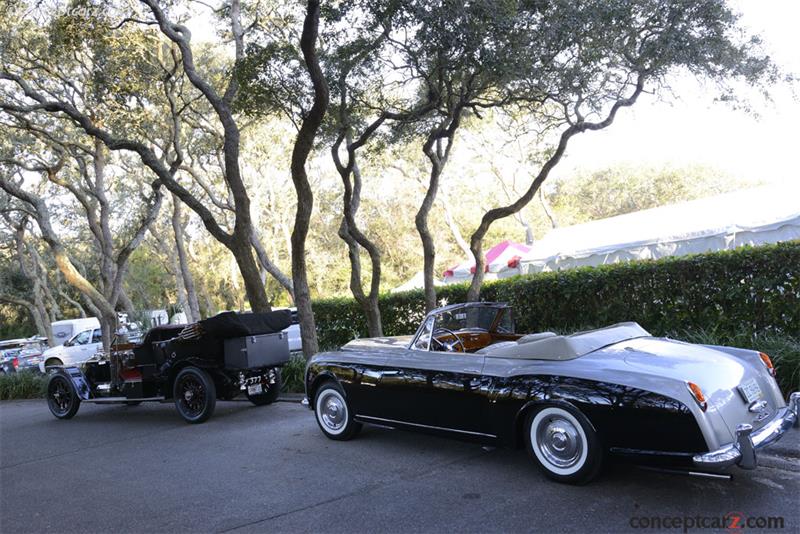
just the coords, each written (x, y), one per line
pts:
(305, 198)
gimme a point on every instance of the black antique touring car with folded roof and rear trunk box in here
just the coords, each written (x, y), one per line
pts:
(192, 365)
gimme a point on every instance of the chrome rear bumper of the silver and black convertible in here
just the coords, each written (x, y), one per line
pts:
(743, 451)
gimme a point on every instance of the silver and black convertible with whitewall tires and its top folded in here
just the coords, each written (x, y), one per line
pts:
(569, 400)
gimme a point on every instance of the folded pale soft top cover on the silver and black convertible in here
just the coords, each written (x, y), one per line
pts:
(548, 346)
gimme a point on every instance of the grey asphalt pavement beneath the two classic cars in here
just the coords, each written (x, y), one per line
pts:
(269, 469)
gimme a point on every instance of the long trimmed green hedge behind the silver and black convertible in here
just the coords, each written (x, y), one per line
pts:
(744, 292)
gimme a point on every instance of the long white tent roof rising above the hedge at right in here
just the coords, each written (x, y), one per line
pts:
(751, 217)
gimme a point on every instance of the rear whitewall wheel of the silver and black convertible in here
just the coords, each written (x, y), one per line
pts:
(563, 443)
